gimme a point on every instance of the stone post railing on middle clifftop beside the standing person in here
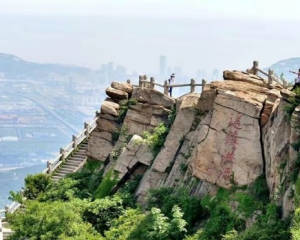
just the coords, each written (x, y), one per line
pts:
(144, 83)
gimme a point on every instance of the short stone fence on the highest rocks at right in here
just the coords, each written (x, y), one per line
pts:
(270, 74)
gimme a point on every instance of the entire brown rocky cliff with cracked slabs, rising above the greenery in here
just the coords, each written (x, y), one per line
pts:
(233, 132)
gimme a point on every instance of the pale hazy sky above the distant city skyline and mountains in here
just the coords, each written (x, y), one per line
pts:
(223, 34)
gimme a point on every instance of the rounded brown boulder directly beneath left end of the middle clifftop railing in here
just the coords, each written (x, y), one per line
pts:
(153, 97)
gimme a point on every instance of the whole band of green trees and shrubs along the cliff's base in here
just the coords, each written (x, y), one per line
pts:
(73, 209)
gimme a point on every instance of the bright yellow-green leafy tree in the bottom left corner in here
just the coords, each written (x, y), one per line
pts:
(55, 220)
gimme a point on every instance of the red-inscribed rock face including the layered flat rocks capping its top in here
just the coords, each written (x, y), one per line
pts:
(230, 142)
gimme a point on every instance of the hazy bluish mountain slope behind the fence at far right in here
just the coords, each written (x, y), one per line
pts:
(286, 65)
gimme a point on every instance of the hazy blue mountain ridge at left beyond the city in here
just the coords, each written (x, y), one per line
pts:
(13, 67)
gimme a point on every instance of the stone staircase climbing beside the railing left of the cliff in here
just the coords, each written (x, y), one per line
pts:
(73, 164)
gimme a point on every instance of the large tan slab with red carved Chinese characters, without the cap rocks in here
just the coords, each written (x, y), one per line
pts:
(229, 143)
